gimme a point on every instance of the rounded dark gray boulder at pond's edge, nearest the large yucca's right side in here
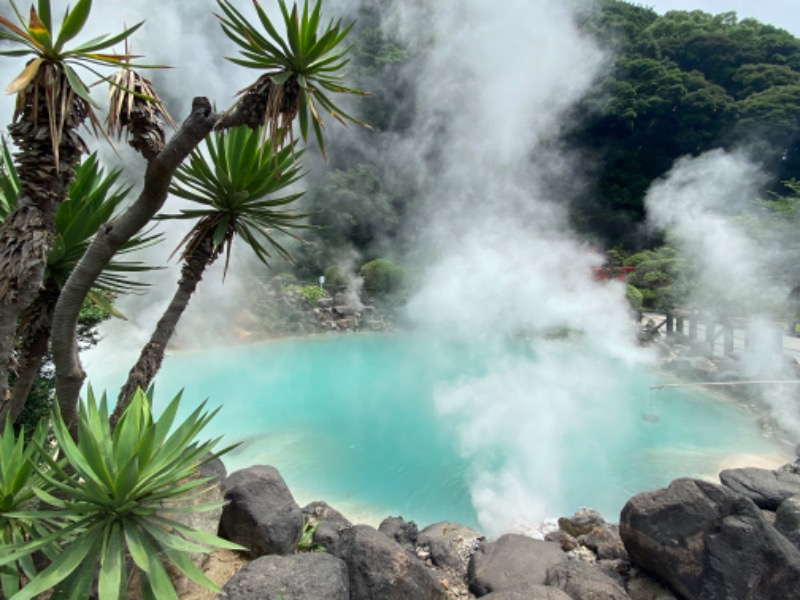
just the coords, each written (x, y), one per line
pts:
(261, 513)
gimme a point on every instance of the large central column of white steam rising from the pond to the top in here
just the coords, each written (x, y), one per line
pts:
(492, 234)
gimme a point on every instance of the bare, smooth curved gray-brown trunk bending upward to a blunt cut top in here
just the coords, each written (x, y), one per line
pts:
(109, 239)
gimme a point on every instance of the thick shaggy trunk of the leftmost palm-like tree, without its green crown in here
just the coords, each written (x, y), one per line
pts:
(26, 234)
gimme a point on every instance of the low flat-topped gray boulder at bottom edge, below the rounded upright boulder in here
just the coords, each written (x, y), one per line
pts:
(312, 576)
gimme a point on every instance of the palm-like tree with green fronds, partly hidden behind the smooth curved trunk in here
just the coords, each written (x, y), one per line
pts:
(93, 199)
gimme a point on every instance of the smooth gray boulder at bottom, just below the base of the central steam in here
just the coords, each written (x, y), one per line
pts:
(511, 561)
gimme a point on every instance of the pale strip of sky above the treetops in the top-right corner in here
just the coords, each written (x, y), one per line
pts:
(783, 13)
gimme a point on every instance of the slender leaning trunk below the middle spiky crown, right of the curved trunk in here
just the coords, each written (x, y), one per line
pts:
(149, 363)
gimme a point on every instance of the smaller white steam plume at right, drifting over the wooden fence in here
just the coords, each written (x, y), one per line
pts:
(700, 203)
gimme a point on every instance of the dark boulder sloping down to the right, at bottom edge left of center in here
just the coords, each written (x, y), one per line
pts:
(379, 567)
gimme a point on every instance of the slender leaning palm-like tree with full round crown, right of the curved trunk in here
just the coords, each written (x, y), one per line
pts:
(234, 186)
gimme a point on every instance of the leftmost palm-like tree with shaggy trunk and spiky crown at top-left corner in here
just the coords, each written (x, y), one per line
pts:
(52, 102)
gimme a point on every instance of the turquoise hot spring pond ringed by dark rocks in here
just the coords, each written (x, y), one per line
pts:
(380, 425)
